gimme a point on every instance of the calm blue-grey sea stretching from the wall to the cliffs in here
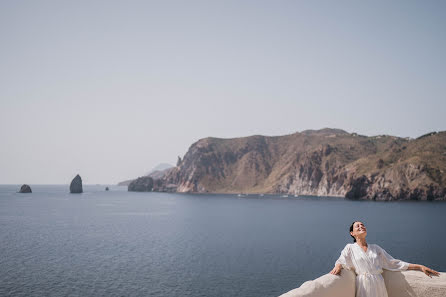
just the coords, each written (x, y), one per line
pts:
(119, 243)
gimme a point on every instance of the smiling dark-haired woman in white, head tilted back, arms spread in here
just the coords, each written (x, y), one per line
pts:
(368, 261)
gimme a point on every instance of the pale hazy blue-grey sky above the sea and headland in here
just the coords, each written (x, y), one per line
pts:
(109, 89)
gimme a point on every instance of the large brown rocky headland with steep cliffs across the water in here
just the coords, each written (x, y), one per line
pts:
(327, 162)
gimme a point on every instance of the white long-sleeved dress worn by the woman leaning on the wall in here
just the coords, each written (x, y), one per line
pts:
(368, 267)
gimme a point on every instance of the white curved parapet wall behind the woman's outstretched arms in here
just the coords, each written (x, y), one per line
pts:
(398, 284)
